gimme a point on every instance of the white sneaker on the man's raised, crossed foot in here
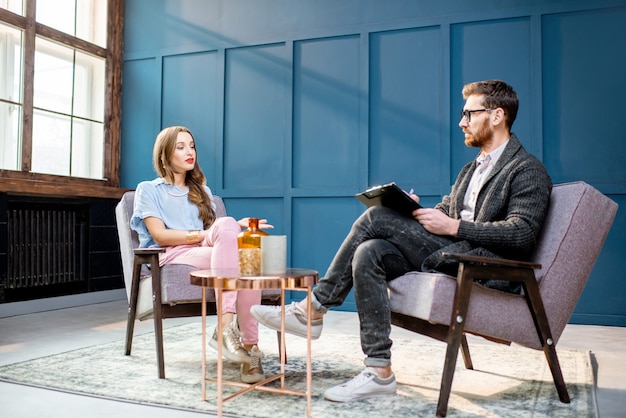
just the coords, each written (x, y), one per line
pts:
(295, 319)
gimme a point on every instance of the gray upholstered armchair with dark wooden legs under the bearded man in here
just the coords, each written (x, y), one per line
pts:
(446, 308)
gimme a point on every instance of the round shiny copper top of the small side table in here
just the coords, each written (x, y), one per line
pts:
(229, 279)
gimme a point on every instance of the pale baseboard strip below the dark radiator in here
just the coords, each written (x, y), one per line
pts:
(61, 302)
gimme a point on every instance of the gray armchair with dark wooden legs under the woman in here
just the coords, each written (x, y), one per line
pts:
(160, 292)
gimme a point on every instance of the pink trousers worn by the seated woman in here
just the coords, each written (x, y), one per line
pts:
(219, 250)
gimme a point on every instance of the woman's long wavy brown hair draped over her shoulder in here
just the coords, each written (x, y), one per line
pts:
(164, 148)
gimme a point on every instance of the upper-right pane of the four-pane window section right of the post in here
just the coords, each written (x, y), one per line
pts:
(89, 87)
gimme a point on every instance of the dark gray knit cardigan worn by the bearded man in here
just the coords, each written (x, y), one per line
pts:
(510, 210)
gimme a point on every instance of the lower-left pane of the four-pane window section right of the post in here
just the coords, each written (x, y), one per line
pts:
(51, 143)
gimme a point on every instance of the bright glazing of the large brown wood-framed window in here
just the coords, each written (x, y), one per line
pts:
(69, 89)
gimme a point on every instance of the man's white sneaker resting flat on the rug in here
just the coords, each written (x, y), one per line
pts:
(365, 385)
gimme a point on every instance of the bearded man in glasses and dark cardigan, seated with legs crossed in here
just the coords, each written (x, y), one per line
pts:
(496, 208)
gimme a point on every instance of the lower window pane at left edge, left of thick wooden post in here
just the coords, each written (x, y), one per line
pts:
(10, 136)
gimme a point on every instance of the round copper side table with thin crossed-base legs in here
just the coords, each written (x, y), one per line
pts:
(229, 279)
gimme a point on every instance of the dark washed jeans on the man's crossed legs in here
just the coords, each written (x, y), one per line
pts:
(381, 246)
